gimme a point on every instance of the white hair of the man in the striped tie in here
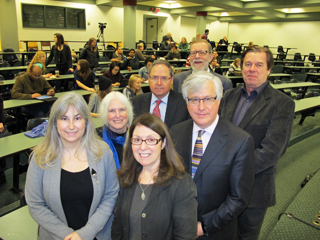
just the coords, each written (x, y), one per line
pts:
(196, 82)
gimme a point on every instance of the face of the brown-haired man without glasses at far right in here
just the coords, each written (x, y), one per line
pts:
(255, 70)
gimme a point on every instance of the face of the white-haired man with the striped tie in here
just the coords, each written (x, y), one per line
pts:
(204, 114)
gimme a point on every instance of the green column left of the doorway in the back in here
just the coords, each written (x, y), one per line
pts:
(129, 23)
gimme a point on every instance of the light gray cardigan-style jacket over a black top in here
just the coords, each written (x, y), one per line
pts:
(43, 198)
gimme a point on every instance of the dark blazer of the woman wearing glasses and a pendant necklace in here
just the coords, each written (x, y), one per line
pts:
(171, 212)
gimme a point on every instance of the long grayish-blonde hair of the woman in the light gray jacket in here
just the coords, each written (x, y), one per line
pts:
(51, 148)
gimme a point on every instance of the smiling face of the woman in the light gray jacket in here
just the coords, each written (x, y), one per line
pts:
(71, 127)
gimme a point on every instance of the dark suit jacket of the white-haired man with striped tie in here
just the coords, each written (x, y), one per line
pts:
(225, 176)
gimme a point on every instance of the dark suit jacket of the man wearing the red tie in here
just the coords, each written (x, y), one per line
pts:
(176, 109)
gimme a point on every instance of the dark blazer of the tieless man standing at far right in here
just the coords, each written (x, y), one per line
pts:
(269, 121)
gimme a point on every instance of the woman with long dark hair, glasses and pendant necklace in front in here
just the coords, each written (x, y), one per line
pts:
(157, 199)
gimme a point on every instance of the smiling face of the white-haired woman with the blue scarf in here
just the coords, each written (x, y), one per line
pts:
(117, 116)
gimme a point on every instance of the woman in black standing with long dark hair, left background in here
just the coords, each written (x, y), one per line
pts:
(62, 57)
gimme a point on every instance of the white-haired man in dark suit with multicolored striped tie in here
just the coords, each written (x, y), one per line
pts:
(224, 176)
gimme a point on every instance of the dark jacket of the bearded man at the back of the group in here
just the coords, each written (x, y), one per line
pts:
(180, 77)
